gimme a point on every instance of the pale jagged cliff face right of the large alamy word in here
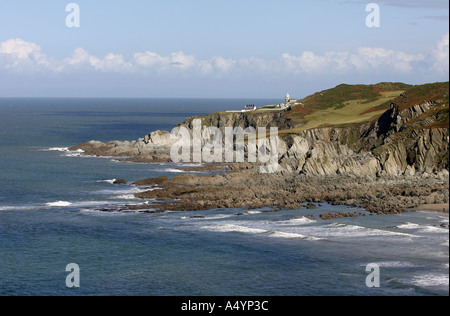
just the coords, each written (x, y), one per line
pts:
(391, 146)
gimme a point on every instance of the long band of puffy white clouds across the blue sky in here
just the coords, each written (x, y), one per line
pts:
(19, 56)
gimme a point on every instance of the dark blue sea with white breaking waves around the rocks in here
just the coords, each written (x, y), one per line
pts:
(51, 203)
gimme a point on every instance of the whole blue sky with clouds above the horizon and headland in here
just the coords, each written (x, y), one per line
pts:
(217, 48)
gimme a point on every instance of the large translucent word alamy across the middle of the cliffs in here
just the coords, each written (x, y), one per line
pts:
(210, 144)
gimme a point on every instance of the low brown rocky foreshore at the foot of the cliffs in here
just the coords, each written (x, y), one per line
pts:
(243, 187)
